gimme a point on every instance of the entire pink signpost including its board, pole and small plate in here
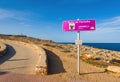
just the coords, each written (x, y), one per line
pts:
(77, 26)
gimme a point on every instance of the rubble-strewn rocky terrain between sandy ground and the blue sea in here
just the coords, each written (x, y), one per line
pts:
(98, 57)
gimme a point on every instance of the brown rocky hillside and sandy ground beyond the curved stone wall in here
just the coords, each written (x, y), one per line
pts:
(62, 61)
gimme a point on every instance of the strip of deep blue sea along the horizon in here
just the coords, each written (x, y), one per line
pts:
(108, 46)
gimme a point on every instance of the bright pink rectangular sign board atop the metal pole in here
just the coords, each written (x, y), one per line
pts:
(79, 25)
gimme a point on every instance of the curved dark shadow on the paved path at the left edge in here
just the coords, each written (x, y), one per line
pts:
(10, 53)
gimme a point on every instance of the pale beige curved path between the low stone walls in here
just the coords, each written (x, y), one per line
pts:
(19, 59)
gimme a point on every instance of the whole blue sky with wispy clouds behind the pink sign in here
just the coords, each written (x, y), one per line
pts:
(43, 19)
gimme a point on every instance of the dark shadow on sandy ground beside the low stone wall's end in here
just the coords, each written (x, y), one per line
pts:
(55, 65)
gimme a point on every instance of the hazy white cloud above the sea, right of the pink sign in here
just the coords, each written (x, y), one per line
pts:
(107, 30)
